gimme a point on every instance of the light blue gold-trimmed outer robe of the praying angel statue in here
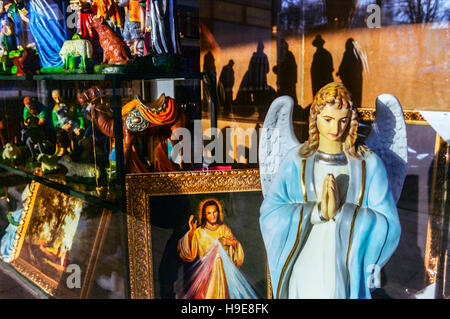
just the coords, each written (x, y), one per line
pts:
(363, 244)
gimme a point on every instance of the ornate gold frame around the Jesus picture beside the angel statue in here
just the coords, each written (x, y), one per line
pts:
(139, 189)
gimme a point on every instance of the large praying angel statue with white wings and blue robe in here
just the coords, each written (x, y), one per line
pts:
(329, 219)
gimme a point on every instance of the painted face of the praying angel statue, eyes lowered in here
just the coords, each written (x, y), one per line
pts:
(332, 122)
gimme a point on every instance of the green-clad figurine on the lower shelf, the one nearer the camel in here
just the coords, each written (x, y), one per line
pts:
(68, 123)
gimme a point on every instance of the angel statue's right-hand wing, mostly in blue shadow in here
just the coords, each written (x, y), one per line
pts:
(388, 140)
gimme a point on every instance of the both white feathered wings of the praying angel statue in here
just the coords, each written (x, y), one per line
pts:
(387, 139)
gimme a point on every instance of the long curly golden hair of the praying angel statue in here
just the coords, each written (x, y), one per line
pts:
(335, 94)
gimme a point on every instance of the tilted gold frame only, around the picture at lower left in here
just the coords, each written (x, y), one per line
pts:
(46, 283)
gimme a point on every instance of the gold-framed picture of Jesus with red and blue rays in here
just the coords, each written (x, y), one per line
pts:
(195, 235)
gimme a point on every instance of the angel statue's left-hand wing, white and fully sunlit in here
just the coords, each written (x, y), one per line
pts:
(277, 139)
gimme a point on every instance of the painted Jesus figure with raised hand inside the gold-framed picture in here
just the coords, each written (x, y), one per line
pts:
(209, 280)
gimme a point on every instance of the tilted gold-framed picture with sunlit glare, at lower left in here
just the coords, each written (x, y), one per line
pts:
(58, 242)
